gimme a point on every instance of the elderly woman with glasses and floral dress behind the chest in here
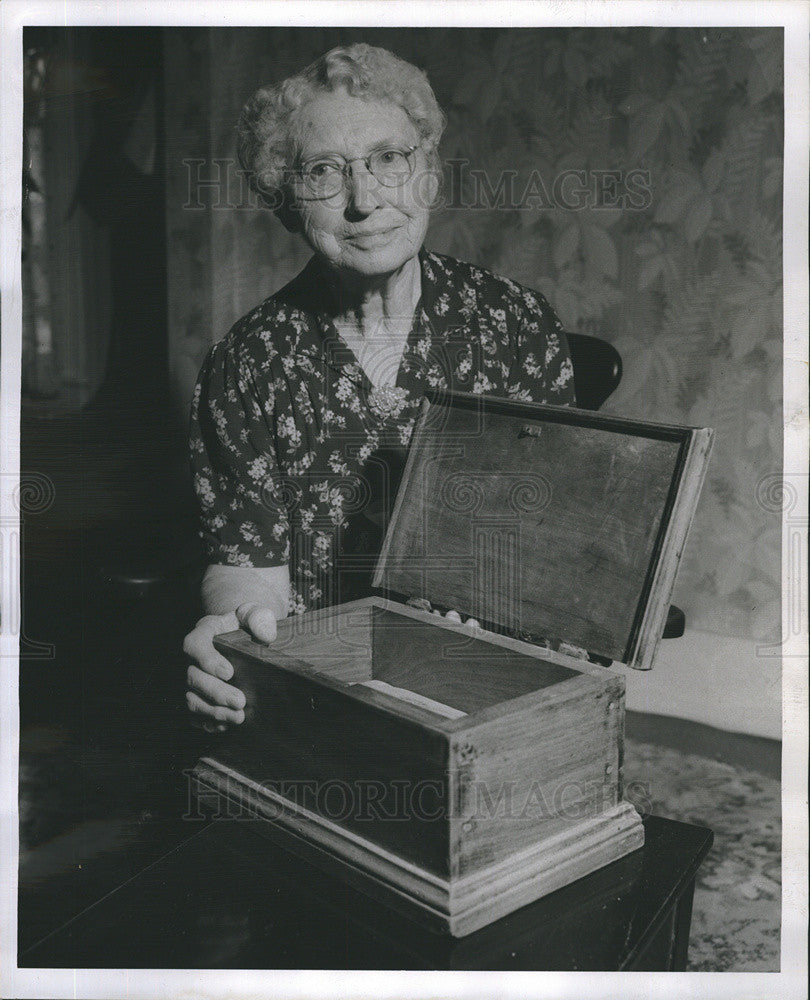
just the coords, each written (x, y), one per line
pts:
(303, 412)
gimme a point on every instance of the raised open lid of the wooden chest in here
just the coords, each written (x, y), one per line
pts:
(546, 522)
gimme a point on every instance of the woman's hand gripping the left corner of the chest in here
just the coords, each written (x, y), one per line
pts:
(215, 704)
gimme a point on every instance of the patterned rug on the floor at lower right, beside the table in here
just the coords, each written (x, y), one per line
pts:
(737, 909)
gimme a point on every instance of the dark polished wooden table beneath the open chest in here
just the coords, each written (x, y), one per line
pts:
(227, 898)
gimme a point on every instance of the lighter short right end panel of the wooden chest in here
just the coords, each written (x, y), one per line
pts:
(535, 772)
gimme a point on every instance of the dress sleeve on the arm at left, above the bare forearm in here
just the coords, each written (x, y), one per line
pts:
(234, 465)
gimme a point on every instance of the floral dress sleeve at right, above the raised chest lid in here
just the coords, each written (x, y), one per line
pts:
(541, 370)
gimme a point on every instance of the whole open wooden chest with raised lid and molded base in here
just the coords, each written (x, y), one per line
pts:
(454, 772)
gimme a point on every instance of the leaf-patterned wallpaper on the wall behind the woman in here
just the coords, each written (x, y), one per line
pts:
(634, 176)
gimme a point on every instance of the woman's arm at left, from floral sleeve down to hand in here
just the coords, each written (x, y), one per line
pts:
(244, 527)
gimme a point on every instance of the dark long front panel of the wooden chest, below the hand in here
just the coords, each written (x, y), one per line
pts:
(337, 753)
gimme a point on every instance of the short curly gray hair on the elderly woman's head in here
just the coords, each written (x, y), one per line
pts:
(266, 128)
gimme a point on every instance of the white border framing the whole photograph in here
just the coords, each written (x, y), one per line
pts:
(794, 16)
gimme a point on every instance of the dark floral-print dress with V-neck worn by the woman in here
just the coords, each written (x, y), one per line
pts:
(297, 458)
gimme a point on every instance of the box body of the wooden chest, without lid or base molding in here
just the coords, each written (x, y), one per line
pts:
(406, 779)
